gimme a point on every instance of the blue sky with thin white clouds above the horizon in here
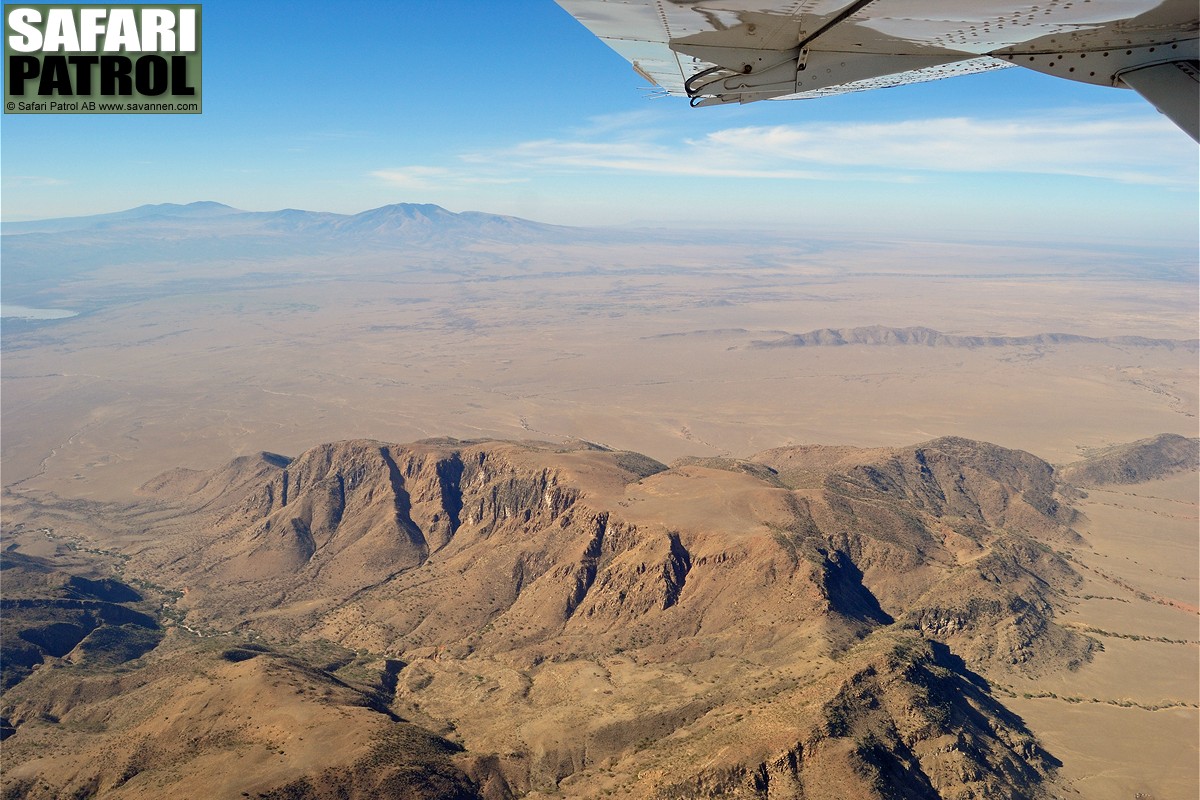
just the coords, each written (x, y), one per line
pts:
(515, 109)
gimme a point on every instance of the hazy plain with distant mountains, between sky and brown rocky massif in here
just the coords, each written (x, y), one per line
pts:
(211, 334)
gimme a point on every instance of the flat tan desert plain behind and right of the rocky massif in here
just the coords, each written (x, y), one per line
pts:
(673, 347)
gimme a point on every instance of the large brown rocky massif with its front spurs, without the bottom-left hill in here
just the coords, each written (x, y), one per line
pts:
(806, 623)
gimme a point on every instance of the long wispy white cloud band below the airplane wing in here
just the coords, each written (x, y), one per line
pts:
(1136, 149)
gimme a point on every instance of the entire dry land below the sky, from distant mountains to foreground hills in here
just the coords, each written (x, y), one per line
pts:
(207, 335)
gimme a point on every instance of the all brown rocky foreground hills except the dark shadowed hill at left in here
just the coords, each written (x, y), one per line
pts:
(500, 619)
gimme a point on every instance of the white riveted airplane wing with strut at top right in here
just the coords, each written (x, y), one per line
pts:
(743, 51)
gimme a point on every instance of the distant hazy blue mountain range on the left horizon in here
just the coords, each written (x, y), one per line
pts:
(172, 248)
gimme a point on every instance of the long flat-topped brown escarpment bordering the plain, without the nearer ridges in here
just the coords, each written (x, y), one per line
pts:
(535, 551)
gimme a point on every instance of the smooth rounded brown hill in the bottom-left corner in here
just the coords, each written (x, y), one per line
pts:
(208, 719)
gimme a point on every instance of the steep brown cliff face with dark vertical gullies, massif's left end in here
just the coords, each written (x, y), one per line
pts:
(347, 518)
